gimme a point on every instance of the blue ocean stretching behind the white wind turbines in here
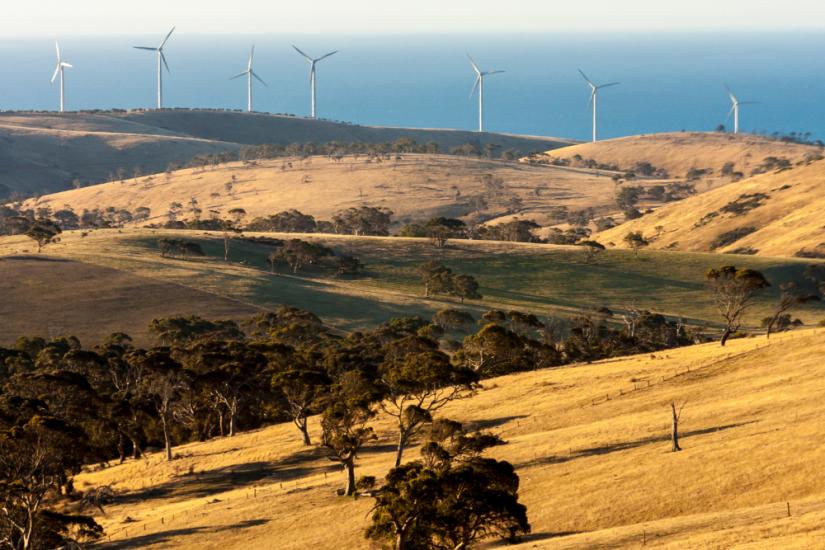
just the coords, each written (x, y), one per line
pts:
(668, 81)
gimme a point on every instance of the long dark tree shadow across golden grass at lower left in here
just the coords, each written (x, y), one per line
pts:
(202, 484)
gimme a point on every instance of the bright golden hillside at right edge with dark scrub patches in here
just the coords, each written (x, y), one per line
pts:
(776, 214)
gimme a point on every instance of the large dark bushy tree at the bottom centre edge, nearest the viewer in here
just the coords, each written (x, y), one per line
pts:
(452, 498)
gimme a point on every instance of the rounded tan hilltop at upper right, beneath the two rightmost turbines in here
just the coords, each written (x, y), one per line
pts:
(679, 152)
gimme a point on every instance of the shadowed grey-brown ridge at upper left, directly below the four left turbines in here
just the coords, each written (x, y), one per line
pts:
(46, 152)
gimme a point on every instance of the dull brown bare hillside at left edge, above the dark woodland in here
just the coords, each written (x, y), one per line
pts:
(50, 296)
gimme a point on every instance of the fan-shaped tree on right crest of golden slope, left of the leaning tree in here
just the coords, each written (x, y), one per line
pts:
(733, 292)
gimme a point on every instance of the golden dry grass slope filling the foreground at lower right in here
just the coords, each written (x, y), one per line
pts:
(589, 442)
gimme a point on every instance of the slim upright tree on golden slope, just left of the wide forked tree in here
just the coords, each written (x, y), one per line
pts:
(344, 422)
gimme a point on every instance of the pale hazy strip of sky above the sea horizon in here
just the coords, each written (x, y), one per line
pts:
(112, 17)
